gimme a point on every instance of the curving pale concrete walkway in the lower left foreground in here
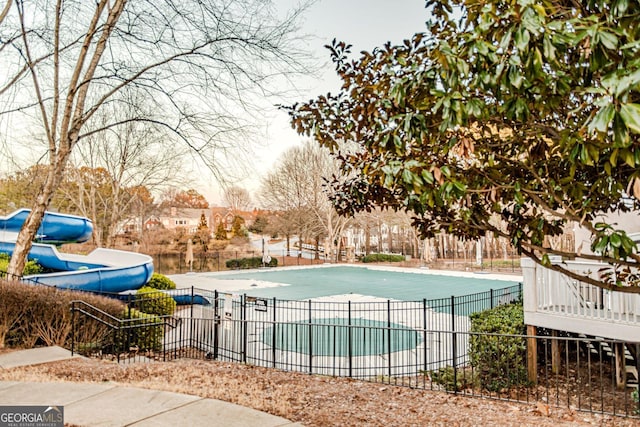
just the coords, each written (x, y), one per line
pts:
(88, 404)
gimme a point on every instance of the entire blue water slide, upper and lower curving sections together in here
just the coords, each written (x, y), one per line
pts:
(103, 270)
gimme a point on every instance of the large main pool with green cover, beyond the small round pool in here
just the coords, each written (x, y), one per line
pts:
(409, 285)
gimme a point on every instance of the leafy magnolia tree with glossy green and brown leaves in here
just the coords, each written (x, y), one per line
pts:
(512, 118)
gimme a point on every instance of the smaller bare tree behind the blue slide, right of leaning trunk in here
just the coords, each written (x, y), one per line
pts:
(133, 154)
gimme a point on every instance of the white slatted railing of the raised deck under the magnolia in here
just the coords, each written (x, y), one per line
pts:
(552, 299)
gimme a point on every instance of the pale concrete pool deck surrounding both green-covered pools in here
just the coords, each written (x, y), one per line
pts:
(433, 325)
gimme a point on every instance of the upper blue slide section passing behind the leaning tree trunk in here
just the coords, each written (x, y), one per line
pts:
(56, 228)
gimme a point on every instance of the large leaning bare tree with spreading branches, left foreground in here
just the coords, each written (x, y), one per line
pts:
(197, 63)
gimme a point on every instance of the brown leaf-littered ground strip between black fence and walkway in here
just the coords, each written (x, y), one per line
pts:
(310, 399)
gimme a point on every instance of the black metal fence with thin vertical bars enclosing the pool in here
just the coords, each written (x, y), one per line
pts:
(423, 344)
